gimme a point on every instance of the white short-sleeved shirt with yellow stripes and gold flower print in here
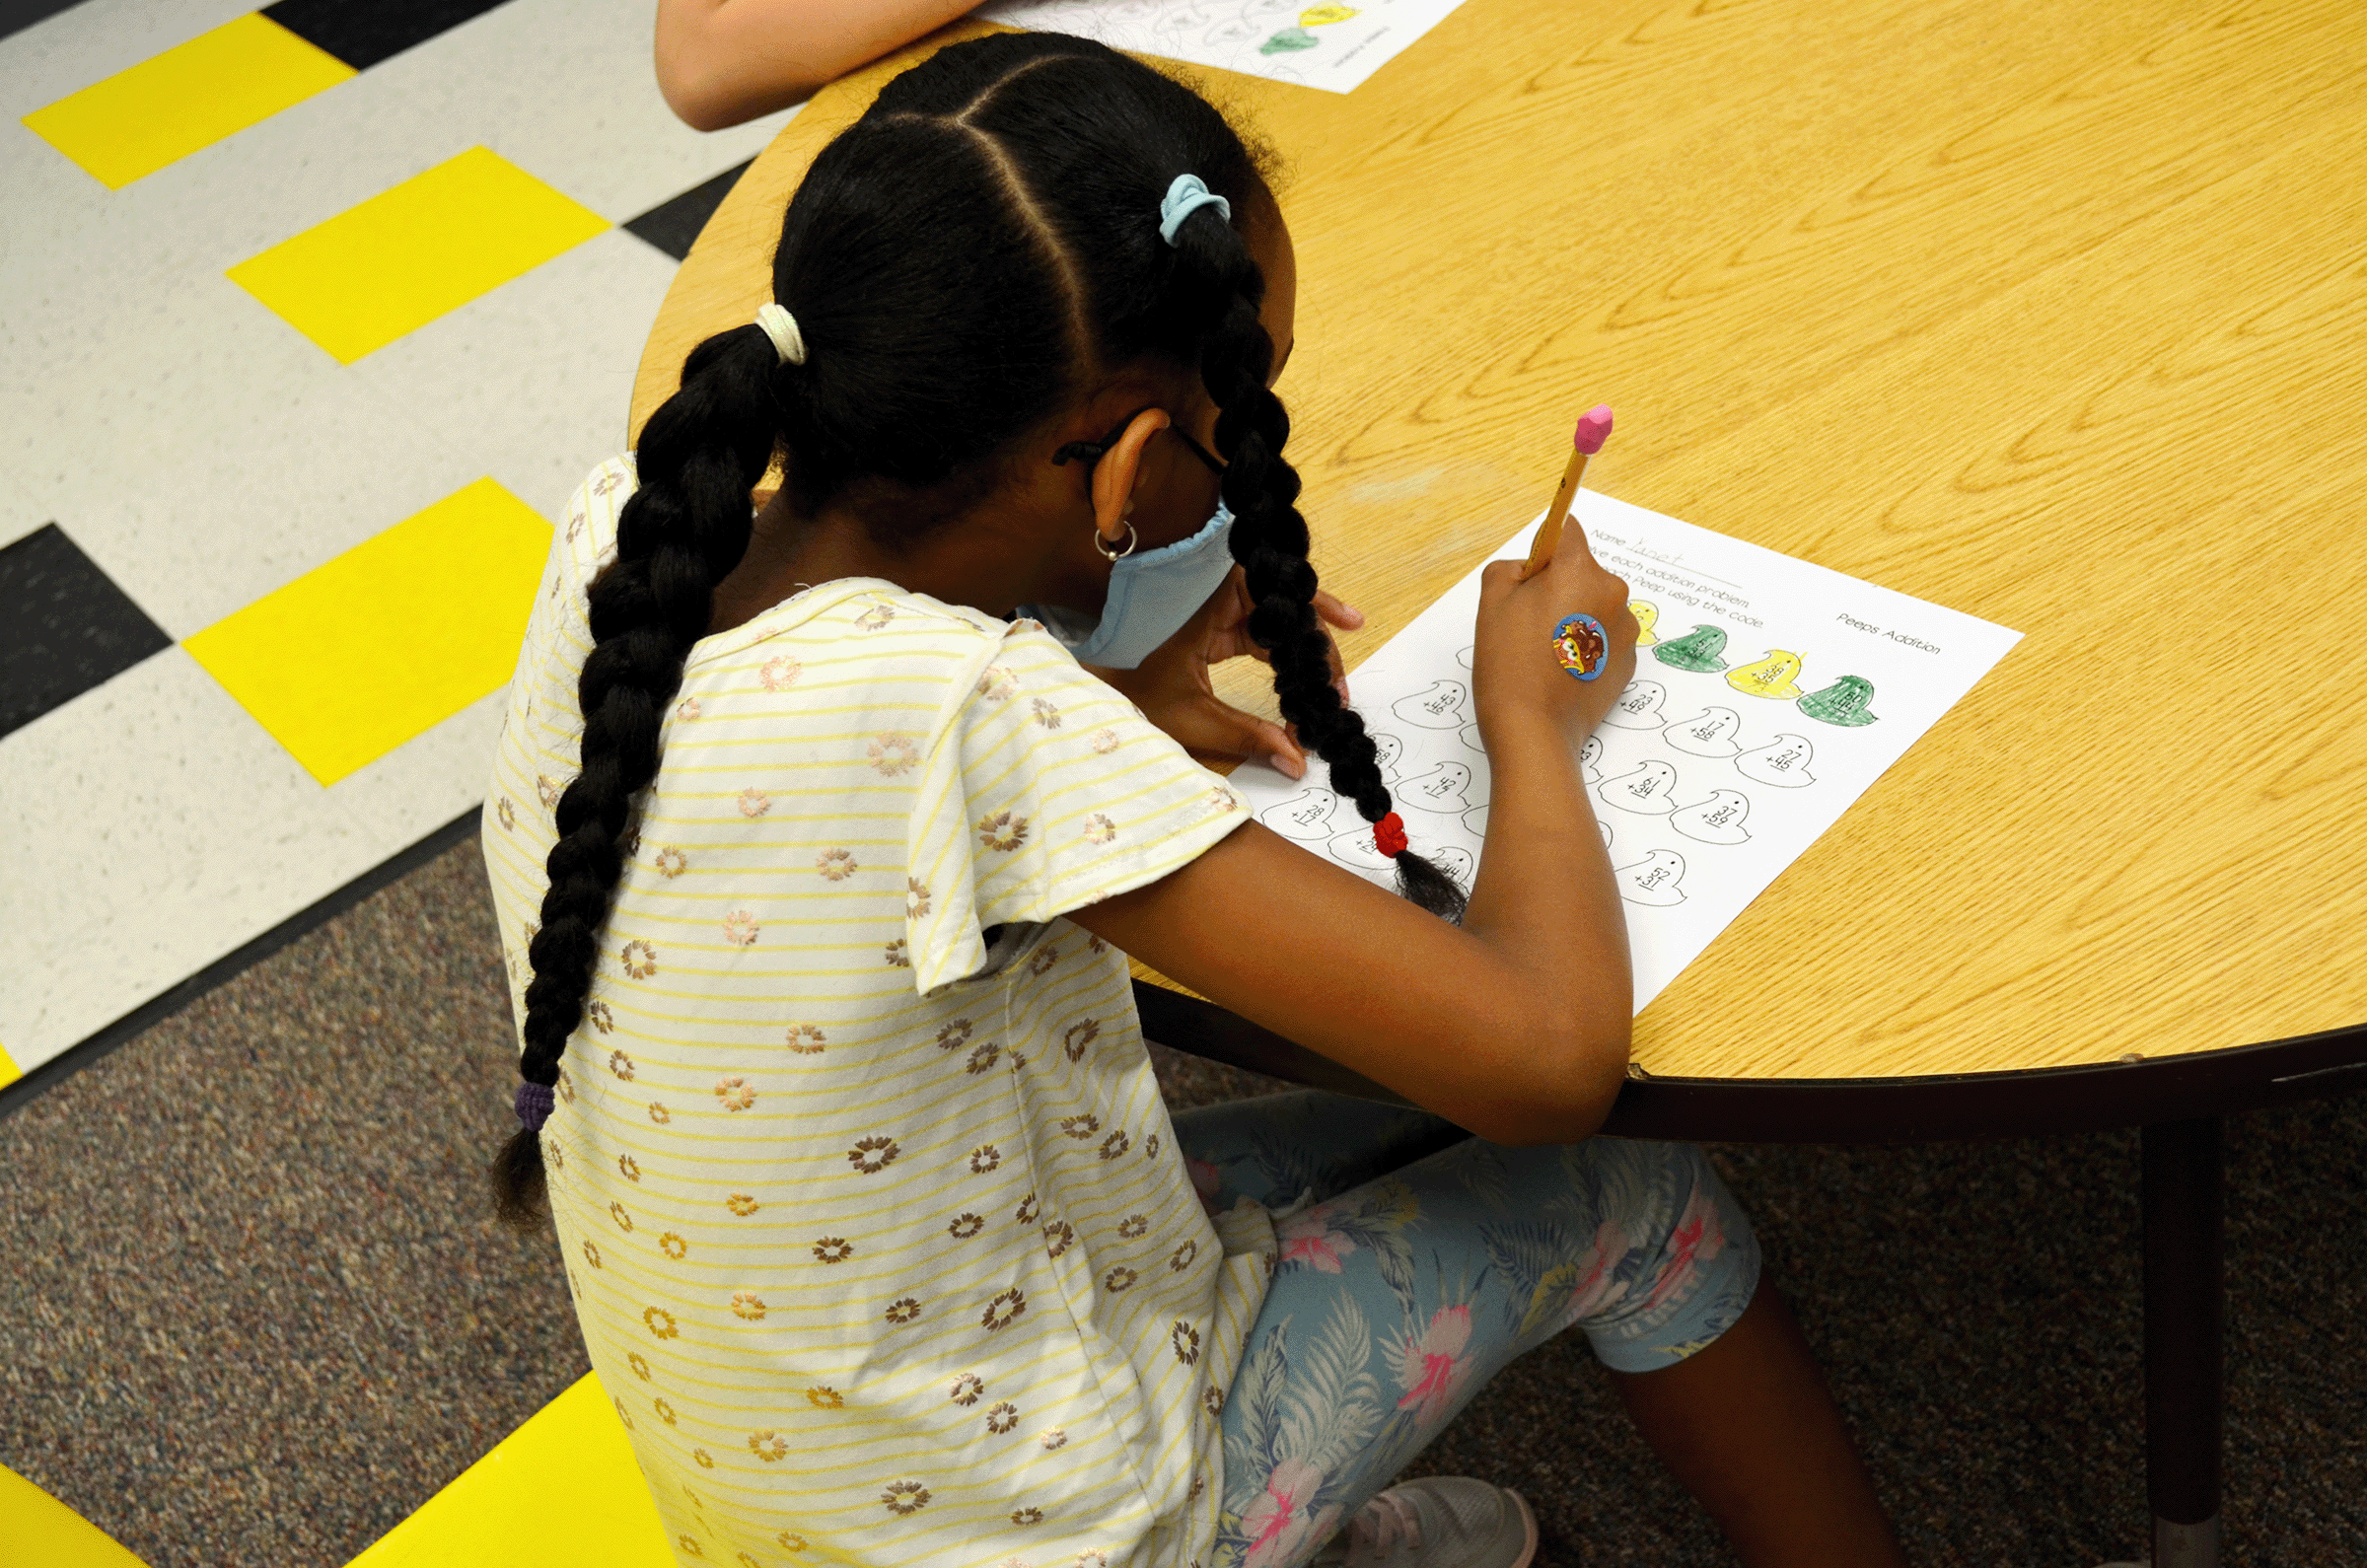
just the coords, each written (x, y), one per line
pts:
(879, 1238)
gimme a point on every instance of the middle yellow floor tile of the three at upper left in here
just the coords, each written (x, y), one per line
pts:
(408, 255)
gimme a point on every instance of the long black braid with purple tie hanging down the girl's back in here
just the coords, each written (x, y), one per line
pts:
(681, 534)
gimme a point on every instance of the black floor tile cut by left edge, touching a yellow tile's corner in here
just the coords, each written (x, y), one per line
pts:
(65, 626)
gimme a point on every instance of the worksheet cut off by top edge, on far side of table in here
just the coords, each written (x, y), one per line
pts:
(1317, 46)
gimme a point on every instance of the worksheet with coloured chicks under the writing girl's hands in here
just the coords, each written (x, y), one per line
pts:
(1767, 698)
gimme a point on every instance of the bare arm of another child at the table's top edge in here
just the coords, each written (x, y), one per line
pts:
(723, 63)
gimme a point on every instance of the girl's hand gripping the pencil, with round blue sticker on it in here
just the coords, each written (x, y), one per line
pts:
(1514, 667)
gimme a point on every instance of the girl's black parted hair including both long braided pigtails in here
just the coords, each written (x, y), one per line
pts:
(962, 264)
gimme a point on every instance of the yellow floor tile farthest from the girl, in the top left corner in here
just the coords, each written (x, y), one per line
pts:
(193, 96)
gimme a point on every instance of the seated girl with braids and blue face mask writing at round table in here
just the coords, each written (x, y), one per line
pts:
(818, 863)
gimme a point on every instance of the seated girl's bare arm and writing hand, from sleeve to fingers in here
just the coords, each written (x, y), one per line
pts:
(1514, 1024)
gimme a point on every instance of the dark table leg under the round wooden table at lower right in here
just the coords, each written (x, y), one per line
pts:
(2186, 1297)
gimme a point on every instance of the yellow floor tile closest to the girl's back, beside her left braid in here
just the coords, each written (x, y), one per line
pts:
(361, 655)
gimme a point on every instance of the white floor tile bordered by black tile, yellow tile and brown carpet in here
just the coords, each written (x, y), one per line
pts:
(155, 830)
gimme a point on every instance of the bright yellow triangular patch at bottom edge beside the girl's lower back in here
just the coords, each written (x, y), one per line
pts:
(557, 1493)
